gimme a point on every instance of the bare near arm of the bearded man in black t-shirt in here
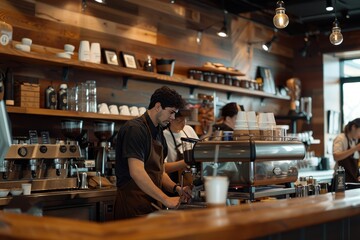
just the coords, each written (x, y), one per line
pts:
(144, 182)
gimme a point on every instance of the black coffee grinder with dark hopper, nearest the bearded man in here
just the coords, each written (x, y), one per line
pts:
(103, 154)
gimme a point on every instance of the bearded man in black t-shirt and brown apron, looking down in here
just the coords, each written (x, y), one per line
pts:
(140, 152)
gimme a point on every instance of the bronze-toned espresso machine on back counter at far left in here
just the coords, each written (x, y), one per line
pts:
(46, 166)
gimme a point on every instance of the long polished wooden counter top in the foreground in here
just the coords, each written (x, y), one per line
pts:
(240, 222)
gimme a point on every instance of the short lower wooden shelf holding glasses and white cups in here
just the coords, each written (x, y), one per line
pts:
(68, 114)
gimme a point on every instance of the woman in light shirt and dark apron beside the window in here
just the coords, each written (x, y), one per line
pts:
(346, 149)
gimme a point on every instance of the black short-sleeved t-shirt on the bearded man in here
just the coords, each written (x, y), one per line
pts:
(133, 141)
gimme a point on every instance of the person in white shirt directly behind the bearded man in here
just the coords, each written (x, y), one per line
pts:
(173, 134)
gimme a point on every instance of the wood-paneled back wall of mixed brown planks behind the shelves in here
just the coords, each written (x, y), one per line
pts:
(153, 27)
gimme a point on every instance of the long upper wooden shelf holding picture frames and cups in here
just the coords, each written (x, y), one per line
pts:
(46, 56)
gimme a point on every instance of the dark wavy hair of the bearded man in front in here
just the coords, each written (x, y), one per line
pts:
(167, 98)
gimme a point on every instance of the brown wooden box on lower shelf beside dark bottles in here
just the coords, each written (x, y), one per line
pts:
(27, 95)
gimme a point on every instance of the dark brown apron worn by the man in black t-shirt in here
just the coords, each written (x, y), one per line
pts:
(131, 201)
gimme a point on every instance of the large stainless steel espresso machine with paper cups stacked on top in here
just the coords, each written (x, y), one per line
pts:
(255, 168)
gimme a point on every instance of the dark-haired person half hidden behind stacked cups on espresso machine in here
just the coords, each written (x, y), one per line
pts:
(228, 117)
